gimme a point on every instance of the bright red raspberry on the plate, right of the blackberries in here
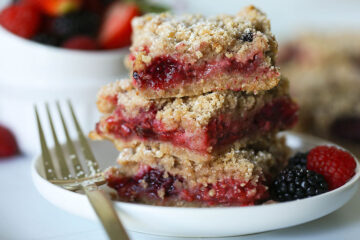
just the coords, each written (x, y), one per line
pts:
(336, 165)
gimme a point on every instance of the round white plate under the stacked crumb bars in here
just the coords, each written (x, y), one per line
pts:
(203, 222)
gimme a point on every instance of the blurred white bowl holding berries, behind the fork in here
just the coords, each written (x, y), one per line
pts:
(34, 73)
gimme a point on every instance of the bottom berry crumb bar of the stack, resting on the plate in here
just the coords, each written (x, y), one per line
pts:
(237, 177)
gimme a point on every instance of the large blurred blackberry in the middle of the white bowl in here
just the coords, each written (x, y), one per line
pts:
(76, 23)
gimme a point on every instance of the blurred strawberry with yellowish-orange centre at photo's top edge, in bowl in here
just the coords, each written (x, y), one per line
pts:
(57, 7)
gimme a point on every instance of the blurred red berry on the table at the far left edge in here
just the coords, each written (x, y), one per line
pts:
(8, 145)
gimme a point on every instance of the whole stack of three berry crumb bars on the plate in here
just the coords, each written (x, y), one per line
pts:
(196, 124)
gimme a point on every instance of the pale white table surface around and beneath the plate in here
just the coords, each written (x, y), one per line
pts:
(24, 214)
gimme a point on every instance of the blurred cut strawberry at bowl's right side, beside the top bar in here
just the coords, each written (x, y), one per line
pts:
(116, 28)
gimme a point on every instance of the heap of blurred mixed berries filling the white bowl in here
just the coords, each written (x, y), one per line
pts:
(75, 24)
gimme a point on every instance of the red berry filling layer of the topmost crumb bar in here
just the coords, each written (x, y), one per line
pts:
(165, 72)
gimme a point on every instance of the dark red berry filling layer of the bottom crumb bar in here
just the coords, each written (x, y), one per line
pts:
(154, 185)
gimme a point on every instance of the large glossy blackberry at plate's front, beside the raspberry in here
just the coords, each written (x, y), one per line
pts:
(297, 183)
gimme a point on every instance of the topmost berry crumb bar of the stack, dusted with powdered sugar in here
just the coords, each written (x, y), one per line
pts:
(175, 56)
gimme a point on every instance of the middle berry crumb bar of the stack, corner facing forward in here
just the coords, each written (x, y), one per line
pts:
(192, 127)
